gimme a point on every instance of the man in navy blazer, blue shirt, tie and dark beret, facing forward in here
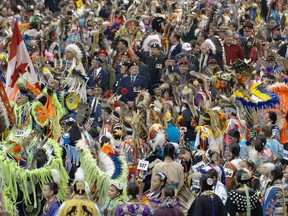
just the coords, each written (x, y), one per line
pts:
(133, 83)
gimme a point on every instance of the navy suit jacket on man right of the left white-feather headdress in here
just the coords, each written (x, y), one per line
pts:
(101, 79)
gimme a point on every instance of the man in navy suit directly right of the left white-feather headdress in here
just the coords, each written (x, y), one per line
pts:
(97, 76)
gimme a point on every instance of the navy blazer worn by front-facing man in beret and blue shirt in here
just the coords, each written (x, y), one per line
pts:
(139, 83)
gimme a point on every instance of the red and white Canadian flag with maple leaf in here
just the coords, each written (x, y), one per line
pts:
(19, 62)
